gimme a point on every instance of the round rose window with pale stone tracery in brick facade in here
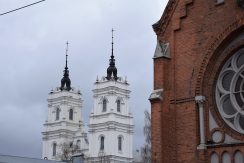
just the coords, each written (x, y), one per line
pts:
(230, 92)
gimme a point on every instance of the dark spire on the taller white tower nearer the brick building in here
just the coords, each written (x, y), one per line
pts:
(112, 70)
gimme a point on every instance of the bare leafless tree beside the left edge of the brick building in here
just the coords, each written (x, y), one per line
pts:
(146, 149)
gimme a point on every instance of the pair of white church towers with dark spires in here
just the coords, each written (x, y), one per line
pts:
(110, 134)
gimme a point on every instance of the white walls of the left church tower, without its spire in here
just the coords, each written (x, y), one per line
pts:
(62, 130)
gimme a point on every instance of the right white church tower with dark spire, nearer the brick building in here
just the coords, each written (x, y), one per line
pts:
(111, 123)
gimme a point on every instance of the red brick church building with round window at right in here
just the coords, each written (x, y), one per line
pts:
(198, 98)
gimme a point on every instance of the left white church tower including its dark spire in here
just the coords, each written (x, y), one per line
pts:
(63, 128)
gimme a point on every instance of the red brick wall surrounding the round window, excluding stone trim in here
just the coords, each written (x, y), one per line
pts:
(198, 31)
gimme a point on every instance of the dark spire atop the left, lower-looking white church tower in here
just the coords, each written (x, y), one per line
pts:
(65, 80)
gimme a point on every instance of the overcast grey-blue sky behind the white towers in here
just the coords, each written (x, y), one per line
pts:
(32, 51)
